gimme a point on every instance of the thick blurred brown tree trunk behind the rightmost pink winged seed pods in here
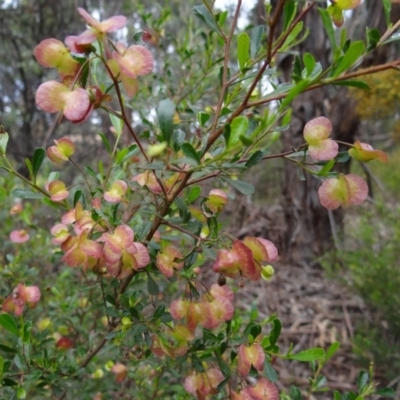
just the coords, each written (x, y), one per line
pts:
(311, 229)
